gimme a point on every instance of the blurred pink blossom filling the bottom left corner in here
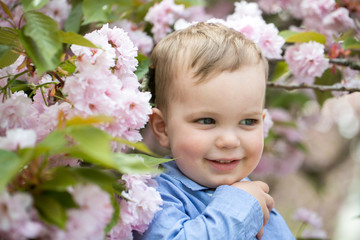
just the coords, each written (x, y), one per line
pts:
(16, 210)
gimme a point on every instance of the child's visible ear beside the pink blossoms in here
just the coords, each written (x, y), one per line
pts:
(158, 125)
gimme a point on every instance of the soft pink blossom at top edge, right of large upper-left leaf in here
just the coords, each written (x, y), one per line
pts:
(58, 10)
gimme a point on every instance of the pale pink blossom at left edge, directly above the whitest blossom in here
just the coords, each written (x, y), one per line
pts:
(17, 112)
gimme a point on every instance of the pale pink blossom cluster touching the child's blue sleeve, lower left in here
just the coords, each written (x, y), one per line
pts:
(137, 206)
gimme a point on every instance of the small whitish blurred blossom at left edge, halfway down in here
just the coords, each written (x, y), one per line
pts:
(18, 138)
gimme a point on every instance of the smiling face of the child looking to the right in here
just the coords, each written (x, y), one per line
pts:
(215, 128)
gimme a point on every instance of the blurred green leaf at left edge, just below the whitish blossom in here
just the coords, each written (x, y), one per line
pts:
(10, 166)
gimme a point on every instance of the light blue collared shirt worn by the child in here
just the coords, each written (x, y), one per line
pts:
(191, 211)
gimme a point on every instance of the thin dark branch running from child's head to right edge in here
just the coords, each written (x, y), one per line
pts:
(322, 88)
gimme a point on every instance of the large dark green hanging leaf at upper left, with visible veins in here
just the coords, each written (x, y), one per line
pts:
(41, 41)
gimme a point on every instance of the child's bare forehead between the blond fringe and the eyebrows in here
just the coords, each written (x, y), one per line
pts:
(245, 85)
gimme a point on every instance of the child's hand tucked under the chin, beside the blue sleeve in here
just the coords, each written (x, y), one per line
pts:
(260, 191)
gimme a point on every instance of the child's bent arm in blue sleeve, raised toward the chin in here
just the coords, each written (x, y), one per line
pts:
(230, 214)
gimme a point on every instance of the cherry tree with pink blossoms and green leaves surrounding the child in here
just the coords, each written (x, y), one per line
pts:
(75, 95)
